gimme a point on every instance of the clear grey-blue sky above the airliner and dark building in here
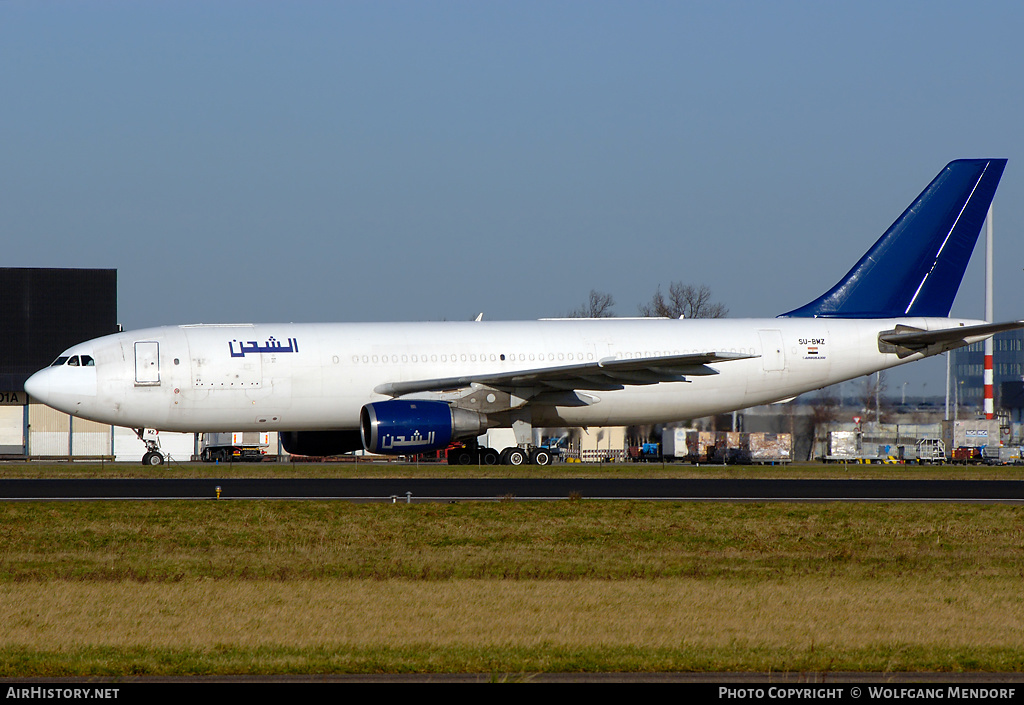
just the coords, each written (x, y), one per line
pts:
(361, 161)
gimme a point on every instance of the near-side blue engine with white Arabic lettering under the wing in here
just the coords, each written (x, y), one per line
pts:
(409, 427)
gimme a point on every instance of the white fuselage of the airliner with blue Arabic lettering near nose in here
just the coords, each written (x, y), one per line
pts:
(318, 377)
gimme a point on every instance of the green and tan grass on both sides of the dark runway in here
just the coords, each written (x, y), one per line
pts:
(330, 588)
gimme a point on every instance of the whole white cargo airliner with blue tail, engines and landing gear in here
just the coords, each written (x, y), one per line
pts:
(410, 388)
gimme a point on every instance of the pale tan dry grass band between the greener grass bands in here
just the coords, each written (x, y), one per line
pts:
(796, 613)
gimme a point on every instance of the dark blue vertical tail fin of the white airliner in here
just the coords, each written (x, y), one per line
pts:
(916, 268)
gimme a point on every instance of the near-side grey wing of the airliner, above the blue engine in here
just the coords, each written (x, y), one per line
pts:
(606, 375)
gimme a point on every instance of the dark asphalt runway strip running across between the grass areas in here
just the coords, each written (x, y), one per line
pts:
(449, 490)
